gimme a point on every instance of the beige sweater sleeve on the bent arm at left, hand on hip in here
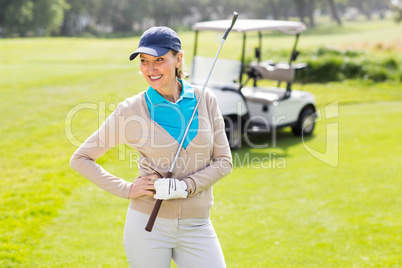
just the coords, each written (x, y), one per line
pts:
(83, 160)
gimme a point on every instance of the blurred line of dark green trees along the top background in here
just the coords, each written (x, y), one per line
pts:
(76, 17)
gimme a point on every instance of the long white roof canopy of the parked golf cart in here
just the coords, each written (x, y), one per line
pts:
(248, 25)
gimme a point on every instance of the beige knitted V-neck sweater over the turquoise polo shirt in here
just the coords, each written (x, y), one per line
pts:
(205, 161)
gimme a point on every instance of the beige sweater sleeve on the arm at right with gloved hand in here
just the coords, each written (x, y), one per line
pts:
(221, 161)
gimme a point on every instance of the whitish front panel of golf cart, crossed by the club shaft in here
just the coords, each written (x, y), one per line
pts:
(225, 75)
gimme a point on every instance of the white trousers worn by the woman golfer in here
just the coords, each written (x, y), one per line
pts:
(191, 243)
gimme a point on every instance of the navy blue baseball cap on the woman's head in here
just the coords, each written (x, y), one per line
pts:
(157, 41)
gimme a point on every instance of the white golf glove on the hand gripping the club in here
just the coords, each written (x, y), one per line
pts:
(170, 188)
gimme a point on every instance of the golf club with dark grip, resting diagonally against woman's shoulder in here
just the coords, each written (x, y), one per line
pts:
(158, 203)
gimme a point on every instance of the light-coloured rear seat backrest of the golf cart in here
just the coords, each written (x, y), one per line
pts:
(279, 72)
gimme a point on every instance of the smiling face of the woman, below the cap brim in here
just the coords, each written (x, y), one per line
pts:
(160, 72)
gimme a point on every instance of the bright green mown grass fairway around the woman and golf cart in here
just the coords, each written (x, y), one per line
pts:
(281, 206)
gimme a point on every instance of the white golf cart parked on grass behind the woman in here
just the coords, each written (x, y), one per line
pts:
(253, 109)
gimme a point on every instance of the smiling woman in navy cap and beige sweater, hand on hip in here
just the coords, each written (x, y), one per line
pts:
(153, 122)
